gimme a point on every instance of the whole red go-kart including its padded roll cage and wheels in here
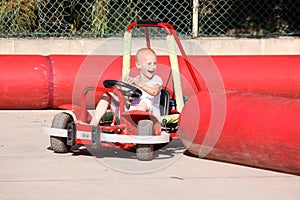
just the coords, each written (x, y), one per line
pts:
(129, 130)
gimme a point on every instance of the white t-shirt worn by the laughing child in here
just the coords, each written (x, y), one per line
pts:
(152, 102)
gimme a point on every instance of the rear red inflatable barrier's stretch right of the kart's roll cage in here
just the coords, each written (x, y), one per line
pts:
(272, 75)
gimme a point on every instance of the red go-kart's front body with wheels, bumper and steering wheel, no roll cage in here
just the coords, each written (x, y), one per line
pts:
(134, 129)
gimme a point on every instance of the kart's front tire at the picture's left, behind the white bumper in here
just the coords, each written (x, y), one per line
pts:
(59, 144)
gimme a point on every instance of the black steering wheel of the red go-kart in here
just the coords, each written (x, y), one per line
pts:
(125, 88)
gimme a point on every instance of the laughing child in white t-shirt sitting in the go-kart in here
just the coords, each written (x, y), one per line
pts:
(147, 81)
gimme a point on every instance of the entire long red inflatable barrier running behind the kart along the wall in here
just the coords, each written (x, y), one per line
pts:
(37, 82)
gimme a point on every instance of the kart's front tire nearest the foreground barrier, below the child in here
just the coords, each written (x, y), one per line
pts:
(144, 152)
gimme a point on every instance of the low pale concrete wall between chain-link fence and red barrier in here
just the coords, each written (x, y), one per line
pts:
(114, 46)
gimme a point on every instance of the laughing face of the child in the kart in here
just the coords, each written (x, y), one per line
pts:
(147, 65)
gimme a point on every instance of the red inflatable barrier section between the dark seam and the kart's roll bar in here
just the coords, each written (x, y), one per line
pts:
(72, 74)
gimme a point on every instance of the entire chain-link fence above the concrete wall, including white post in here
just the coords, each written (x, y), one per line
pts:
(107, 18)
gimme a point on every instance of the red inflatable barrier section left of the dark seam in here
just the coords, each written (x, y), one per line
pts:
(24, 82)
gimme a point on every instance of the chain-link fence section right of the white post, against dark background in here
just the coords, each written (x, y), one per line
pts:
(252, 18)
